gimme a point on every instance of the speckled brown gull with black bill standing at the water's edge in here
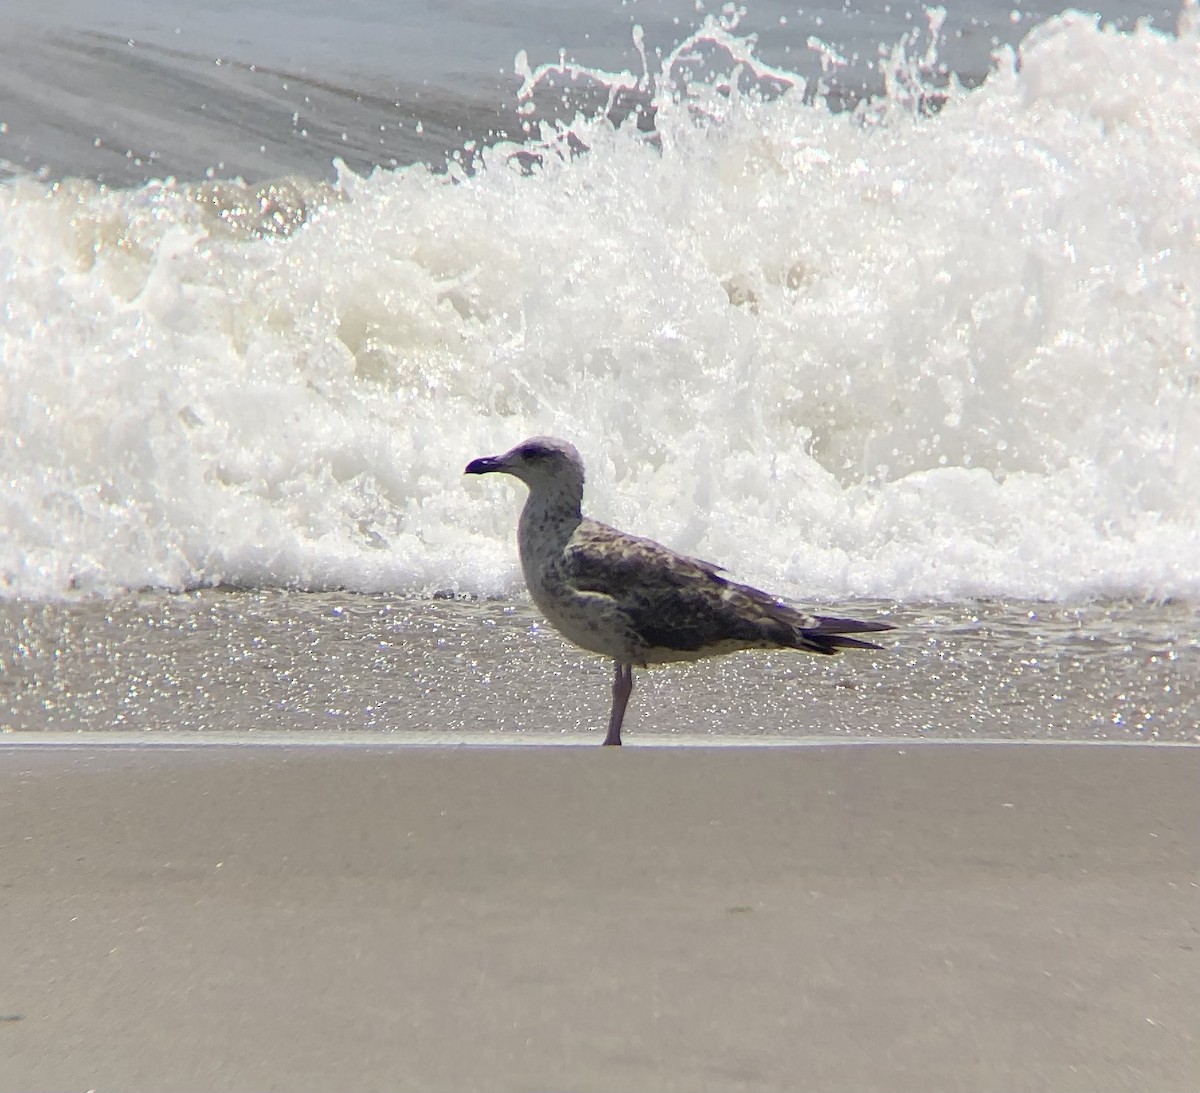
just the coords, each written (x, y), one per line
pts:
(633, 599)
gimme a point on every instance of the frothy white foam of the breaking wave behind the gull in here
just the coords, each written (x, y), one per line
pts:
(891, 353)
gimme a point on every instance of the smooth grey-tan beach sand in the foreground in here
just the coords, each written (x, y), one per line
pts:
(578, 918)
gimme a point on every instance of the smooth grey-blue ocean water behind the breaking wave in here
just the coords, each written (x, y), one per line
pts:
(135, 91)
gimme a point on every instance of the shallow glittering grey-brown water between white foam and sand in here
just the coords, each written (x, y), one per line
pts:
(267, 666)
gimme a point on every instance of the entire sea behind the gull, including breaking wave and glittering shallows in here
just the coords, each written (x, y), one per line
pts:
(886, 308)
